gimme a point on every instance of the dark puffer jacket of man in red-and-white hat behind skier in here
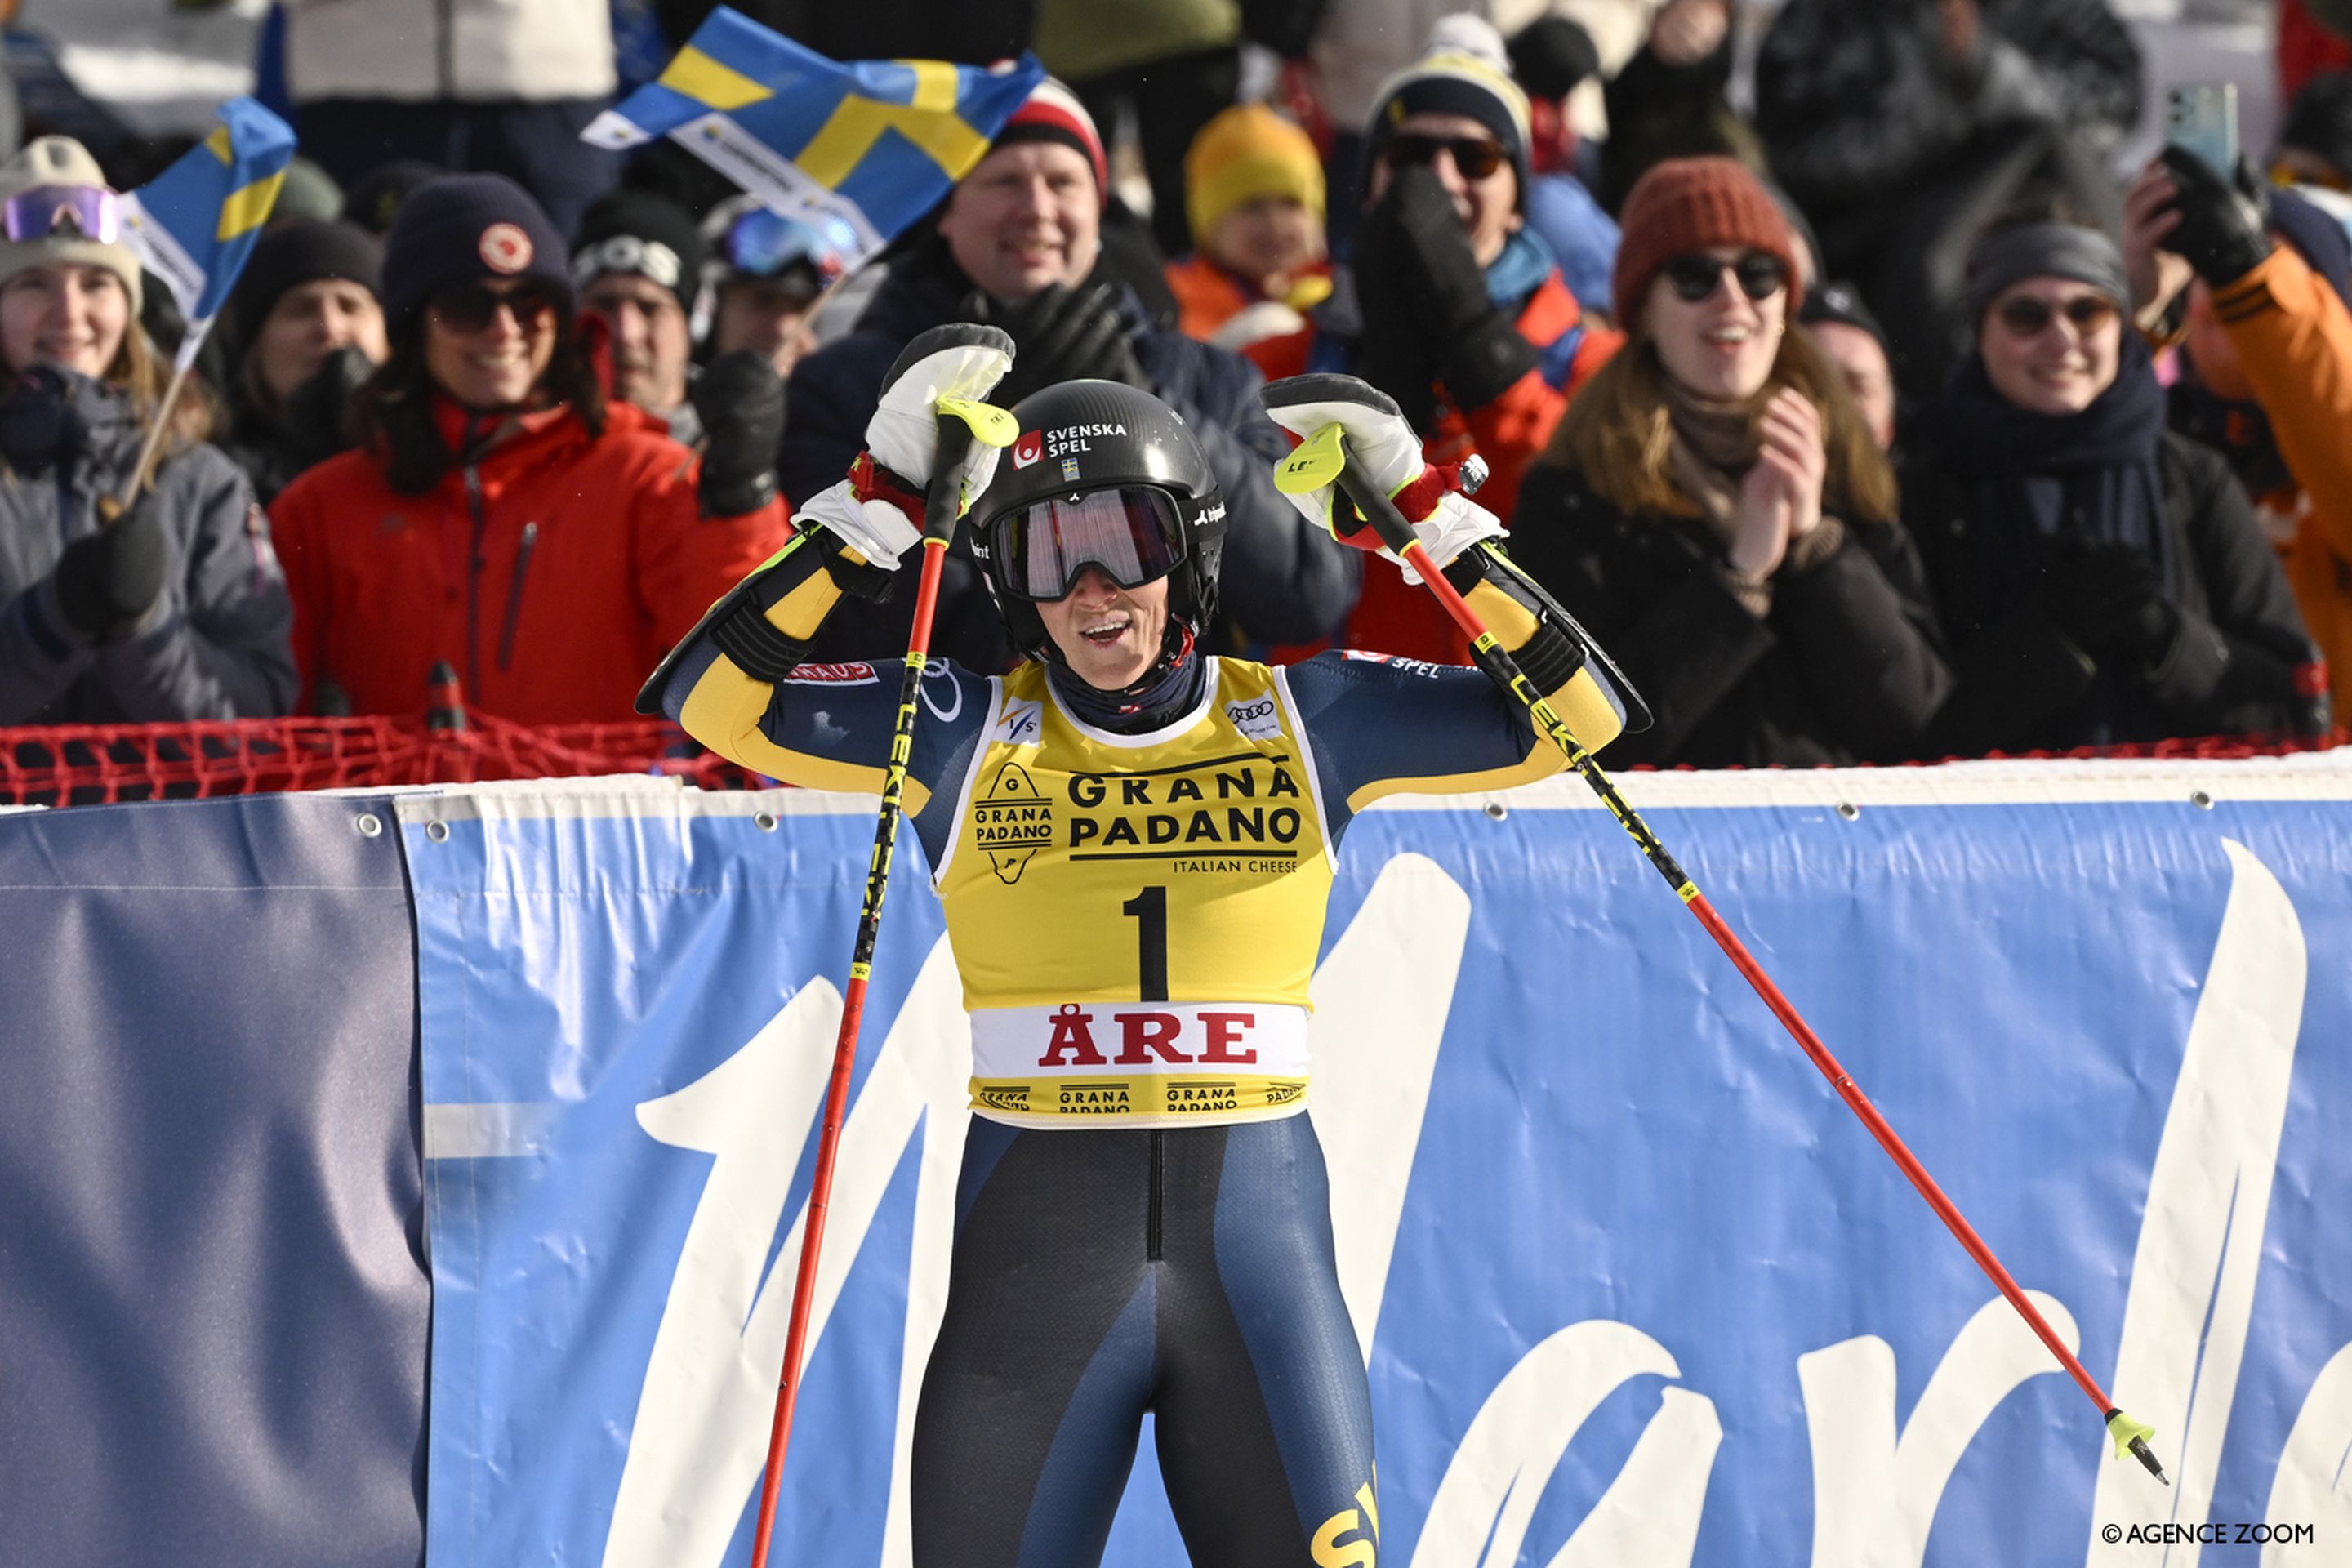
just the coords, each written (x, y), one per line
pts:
(1283, 579)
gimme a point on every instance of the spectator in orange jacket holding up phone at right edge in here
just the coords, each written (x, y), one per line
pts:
(2266, 370)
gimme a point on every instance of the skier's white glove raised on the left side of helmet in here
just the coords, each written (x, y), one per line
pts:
(878, 509)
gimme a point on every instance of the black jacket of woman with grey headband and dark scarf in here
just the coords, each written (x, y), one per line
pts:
(2240, 666)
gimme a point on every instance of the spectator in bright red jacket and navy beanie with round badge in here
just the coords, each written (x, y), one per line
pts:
(500, 514)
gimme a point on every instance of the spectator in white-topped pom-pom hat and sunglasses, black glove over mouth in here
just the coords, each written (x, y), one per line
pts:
(1457, 309)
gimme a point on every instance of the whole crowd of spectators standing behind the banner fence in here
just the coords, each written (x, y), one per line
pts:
(1885, 420)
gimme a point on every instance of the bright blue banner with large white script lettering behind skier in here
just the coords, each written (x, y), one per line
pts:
(1633, 1285)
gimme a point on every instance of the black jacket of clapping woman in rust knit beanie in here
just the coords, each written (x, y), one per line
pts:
(1843, 669)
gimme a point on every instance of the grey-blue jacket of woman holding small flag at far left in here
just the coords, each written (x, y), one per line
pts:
(215, 645)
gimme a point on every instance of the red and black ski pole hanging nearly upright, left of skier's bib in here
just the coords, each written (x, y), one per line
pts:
(942, 514)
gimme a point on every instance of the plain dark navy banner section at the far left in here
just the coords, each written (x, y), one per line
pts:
(213, 1285)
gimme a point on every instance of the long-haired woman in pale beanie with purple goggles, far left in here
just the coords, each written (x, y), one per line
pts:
(175, 610)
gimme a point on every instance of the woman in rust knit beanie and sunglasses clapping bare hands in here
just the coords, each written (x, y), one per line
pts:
(1716, 511)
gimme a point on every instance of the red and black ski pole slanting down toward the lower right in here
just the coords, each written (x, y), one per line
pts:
(1398, 535)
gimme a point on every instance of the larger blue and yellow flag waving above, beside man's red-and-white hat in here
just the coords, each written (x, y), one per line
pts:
(874, 145)
